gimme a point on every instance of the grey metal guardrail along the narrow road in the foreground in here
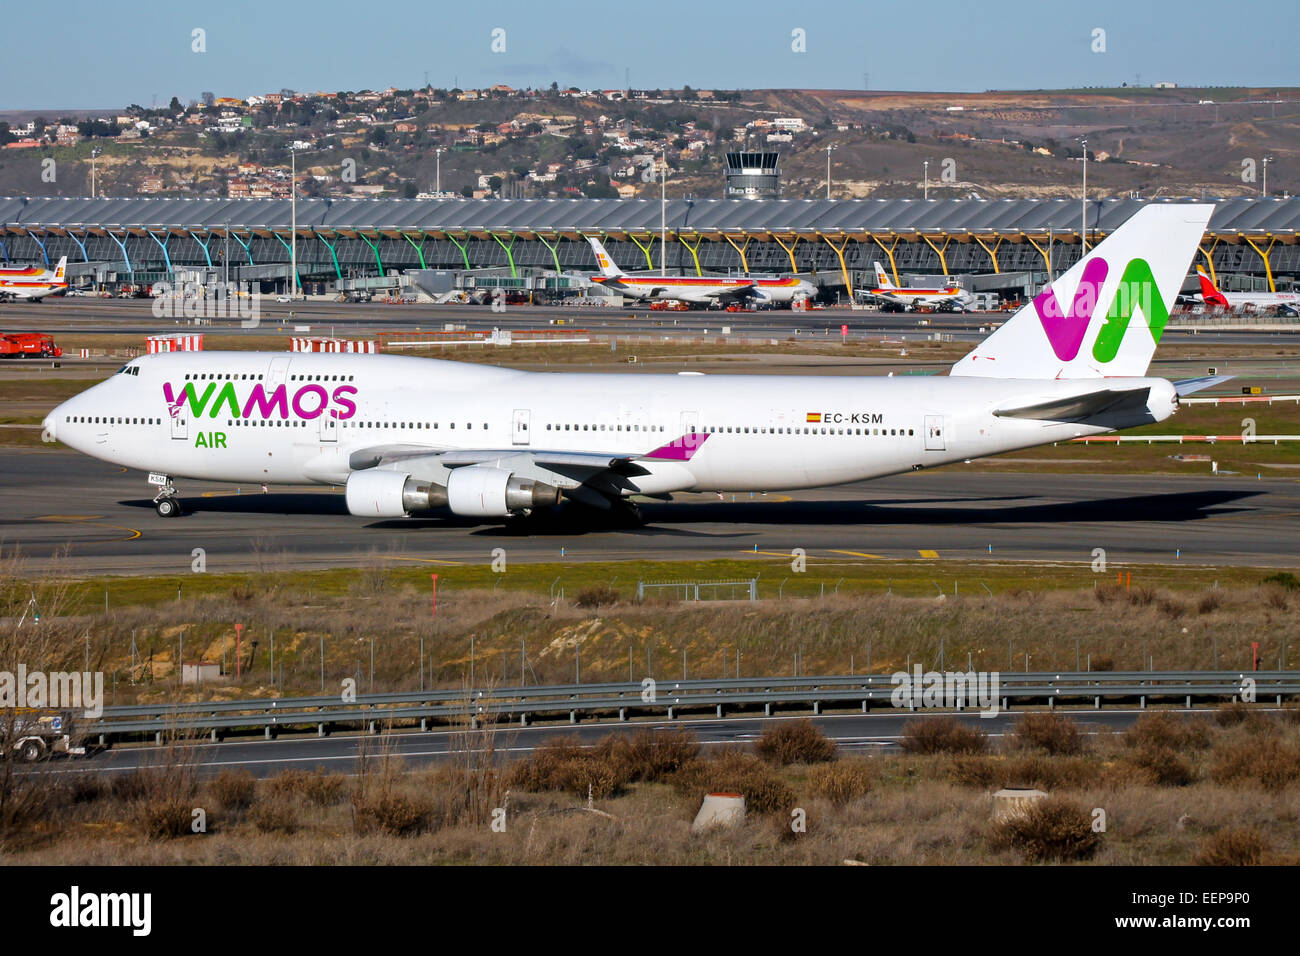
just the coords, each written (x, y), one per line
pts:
(664, 697)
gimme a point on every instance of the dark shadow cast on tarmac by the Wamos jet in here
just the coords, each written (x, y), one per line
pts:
(1175, 507)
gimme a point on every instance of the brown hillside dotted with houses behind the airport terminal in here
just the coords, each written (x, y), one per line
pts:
(562, 144)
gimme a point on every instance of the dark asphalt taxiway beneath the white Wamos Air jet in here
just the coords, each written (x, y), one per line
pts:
(53, 499)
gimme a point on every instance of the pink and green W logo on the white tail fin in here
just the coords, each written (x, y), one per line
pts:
(1068, 328)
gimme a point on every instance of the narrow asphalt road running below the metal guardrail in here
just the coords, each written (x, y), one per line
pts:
(857, 734)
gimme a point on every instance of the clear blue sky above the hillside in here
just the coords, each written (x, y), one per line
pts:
(105, 55)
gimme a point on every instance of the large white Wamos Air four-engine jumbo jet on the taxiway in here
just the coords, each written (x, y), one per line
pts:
(410, 435)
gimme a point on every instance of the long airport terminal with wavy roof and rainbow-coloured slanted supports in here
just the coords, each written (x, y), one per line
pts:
(536, 245)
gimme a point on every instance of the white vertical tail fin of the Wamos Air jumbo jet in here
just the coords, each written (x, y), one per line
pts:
(1104, 317)
